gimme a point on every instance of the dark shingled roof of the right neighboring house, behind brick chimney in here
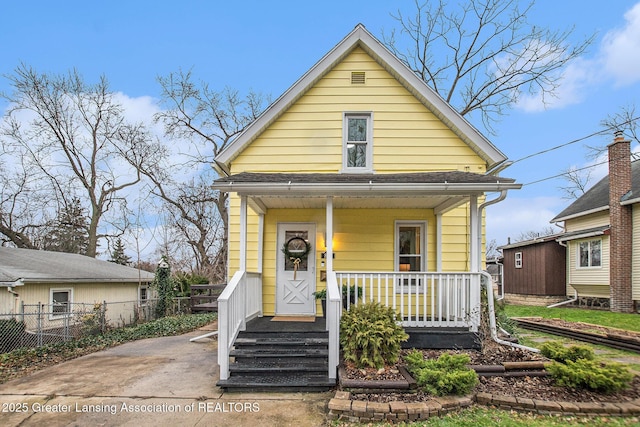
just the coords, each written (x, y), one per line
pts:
(596, 199)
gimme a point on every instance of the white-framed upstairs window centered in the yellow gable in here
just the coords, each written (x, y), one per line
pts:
(358, 143)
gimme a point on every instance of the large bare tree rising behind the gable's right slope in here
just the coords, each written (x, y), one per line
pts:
(483, 55)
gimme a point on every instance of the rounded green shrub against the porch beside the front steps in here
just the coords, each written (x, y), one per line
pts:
(370, 335)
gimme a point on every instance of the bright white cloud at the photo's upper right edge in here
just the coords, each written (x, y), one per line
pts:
(620, 47)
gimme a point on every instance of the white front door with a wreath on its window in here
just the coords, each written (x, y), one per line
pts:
(296, 272)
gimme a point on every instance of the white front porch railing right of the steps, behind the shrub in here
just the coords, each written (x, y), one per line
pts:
(421, 299)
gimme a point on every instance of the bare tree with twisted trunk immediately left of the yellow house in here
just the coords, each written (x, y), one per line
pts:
(209, 120)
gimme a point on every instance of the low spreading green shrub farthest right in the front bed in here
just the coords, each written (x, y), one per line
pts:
(589, 374)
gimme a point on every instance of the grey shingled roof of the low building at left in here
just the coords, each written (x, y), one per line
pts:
(19, 266)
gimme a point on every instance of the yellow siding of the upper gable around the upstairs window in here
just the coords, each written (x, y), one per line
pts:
(407, 137)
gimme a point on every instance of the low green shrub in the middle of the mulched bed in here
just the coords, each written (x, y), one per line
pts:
(449, 374)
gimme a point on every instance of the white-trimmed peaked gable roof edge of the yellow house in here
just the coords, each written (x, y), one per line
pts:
(360, 37)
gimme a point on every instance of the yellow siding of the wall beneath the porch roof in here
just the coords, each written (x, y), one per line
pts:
(363, 241)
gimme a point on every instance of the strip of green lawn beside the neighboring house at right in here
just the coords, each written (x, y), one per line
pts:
(629, 322)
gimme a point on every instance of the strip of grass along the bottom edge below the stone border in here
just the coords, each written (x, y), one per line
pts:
(478, 416)
